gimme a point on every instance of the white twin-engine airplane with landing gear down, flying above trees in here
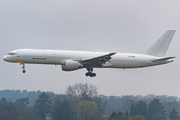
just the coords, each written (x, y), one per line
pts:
(74, 60)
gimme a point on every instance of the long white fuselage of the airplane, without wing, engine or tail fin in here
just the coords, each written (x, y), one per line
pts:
(58, 57)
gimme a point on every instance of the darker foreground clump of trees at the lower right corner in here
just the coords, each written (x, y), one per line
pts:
(141, 111)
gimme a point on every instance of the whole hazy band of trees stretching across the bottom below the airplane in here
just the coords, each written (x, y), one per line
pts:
(82, 102)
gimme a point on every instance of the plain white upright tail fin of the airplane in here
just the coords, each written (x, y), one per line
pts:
(160, 47)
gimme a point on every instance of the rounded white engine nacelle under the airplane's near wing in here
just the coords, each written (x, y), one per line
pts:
(71, 65)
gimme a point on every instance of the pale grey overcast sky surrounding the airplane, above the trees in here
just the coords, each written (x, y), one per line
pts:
(93, 25)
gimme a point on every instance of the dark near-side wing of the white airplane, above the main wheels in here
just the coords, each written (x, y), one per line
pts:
(97, 60)
